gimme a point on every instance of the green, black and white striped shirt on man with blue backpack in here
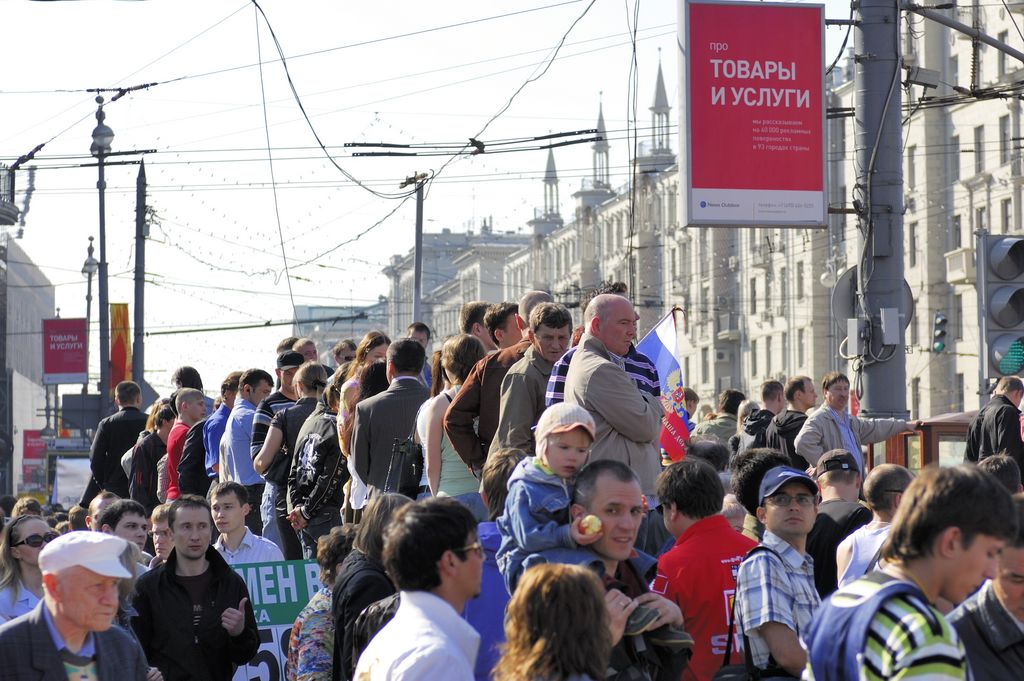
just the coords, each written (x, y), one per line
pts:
(908, 640)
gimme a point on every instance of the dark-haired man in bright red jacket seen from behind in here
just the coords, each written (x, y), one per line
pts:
(699, 574)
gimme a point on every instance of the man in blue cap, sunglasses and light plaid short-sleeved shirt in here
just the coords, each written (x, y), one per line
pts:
(776, 592)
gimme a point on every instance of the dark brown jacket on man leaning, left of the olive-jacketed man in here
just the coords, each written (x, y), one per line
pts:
(480, 400)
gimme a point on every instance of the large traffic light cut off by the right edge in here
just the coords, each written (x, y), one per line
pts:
(1005, 304)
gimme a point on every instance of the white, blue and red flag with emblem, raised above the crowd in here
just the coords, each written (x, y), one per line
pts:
(660, 346)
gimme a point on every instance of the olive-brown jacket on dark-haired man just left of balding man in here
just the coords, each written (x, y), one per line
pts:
(522, 403)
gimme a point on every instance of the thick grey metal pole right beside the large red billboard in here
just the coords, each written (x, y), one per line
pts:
(880, 184)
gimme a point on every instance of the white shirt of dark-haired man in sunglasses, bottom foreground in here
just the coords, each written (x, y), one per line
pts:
(426, 641)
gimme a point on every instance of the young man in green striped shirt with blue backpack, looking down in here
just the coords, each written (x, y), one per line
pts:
(946, 541)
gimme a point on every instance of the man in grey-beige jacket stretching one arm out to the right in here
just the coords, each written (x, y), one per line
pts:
(832, 429)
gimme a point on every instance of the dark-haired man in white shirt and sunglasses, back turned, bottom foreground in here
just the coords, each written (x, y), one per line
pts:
(435, 557)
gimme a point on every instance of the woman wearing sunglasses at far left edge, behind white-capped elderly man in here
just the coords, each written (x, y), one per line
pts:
(21, 579)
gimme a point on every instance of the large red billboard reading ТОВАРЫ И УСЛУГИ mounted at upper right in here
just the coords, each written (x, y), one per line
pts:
(754, 134)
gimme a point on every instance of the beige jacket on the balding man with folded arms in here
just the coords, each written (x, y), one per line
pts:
(628, 421)
